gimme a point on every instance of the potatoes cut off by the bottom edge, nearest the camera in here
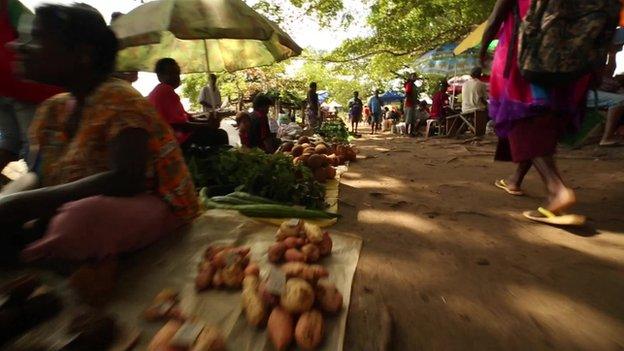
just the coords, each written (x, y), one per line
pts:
(192, 335)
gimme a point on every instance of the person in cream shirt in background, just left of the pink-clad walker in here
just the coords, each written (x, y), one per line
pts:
(474, 99)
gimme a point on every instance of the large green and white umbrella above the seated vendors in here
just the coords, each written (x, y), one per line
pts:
(201, 35)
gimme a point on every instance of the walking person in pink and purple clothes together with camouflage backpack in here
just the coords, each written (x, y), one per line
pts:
(531, 113)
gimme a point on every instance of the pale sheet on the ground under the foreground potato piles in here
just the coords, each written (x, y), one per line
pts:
(174, 265)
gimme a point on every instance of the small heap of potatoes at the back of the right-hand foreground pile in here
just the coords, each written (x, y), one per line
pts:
(298, 241)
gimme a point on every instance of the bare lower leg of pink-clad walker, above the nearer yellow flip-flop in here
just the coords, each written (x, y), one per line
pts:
(560, 197)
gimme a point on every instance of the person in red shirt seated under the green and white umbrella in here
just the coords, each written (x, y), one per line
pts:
(169, 106)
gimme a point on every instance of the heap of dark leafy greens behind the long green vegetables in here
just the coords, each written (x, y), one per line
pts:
(274, 177)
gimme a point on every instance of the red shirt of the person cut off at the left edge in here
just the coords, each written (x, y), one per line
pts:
(10, 85)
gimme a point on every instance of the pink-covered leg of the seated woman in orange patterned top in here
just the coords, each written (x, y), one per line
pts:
(101, 226)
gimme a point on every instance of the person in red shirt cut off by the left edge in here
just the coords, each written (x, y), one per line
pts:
(18, 98)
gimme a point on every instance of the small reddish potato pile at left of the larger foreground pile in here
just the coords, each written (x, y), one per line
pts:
(224, 267)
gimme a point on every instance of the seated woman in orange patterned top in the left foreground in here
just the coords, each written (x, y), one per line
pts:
(111, 174)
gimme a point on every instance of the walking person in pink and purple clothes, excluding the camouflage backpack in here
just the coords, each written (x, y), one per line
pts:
(529, 117)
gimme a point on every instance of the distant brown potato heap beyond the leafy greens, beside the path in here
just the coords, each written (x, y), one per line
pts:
(320, 157)
